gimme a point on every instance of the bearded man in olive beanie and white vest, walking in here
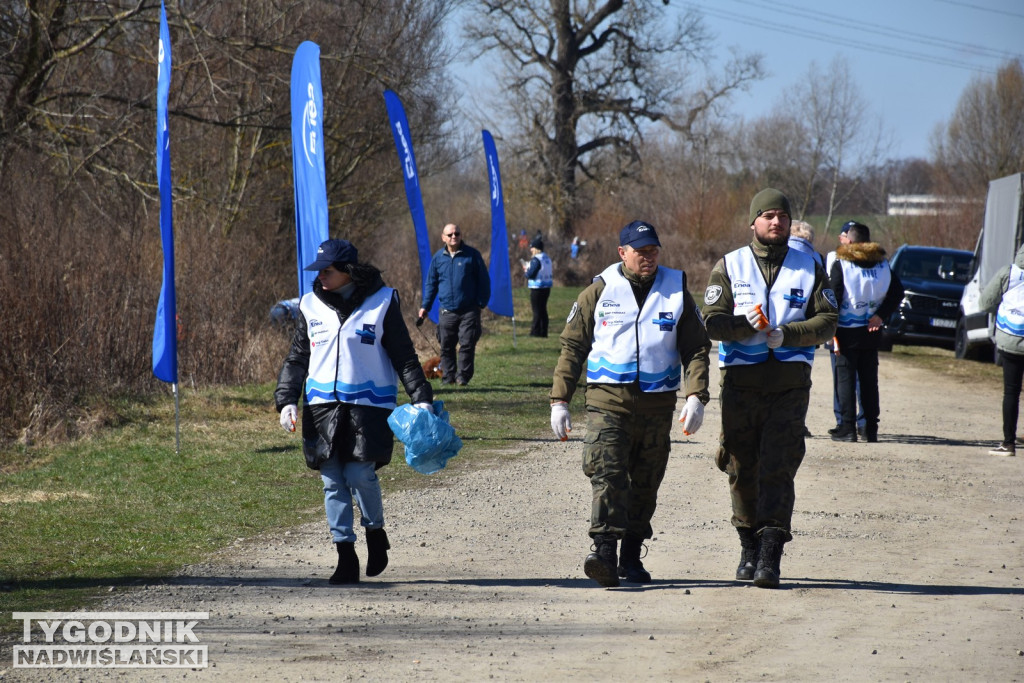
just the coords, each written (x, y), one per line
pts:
(770, 307)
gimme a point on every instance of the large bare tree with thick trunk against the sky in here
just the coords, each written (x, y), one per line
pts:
(583, 77)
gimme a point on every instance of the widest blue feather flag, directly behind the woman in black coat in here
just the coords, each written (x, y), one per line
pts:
(308, 160)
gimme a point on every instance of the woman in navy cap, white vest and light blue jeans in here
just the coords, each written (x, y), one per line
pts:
(350, 351)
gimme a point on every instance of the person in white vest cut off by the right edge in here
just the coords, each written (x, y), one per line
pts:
(1004, 295)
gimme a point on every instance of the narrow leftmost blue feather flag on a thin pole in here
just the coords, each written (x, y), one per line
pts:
(165, 337)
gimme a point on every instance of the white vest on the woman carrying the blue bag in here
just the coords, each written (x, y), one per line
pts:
(347, 362)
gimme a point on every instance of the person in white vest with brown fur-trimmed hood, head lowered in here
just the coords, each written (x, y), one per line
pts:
(869, 292)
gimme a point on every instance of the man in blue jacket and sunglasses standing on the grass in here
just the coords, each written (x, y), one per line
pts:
(458, 278)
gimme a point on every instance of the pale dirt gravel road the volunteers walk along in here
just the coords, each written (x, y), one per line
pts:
(908, 565)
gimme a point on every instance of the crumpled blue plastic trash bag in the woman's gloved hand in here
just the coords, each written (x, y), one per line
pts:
(430, 440)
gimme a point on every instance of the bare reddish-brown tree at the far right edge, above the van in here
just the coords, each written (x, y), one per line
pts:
(986, 138)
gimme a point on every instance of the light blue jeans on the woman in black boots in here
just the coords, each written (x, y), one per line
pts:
(343, 482)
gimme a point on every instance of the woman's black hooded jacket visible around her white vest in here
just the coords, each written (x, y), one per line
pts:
(357, 434)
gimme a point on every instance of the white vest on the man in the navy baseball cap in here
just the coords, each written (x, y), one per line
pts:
(637, 346)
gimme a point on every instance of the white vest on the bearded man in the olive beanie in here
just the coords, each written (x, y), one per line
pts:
(787, 303)
